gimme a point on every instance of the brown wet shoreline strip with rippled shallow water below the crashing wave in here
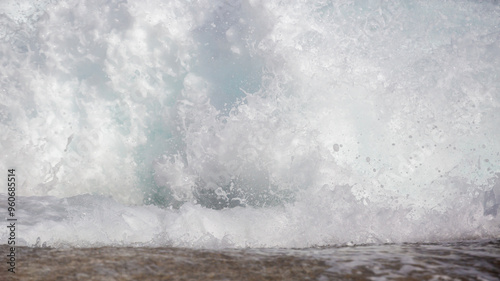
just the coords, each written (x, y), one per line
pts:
(474, 260)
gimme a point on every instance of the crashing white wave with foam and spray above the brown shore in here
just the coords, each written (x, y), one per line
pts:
(251, 123)
